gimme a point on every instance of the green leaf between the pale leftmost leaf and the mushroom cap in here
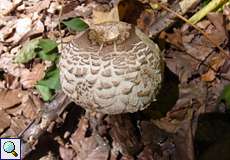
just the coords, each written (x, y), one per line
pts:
(48, 50)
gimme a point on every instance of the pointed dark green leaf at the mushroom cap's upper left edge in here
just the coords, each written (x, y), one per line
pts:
(76, 24)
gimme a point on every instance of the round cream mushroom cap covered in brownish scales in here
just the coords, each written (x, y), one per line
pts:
(115, 78)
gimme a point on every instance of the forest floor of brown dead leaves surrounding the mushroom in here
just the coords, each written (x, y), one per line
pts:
(190, 119)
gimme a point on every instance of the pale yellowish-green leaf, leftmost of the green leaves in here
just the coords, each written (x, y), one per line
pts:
(28, 51)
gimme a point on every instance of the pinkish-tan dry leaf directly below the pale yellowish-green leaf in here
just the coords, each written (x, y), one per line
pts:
(30, 78)
